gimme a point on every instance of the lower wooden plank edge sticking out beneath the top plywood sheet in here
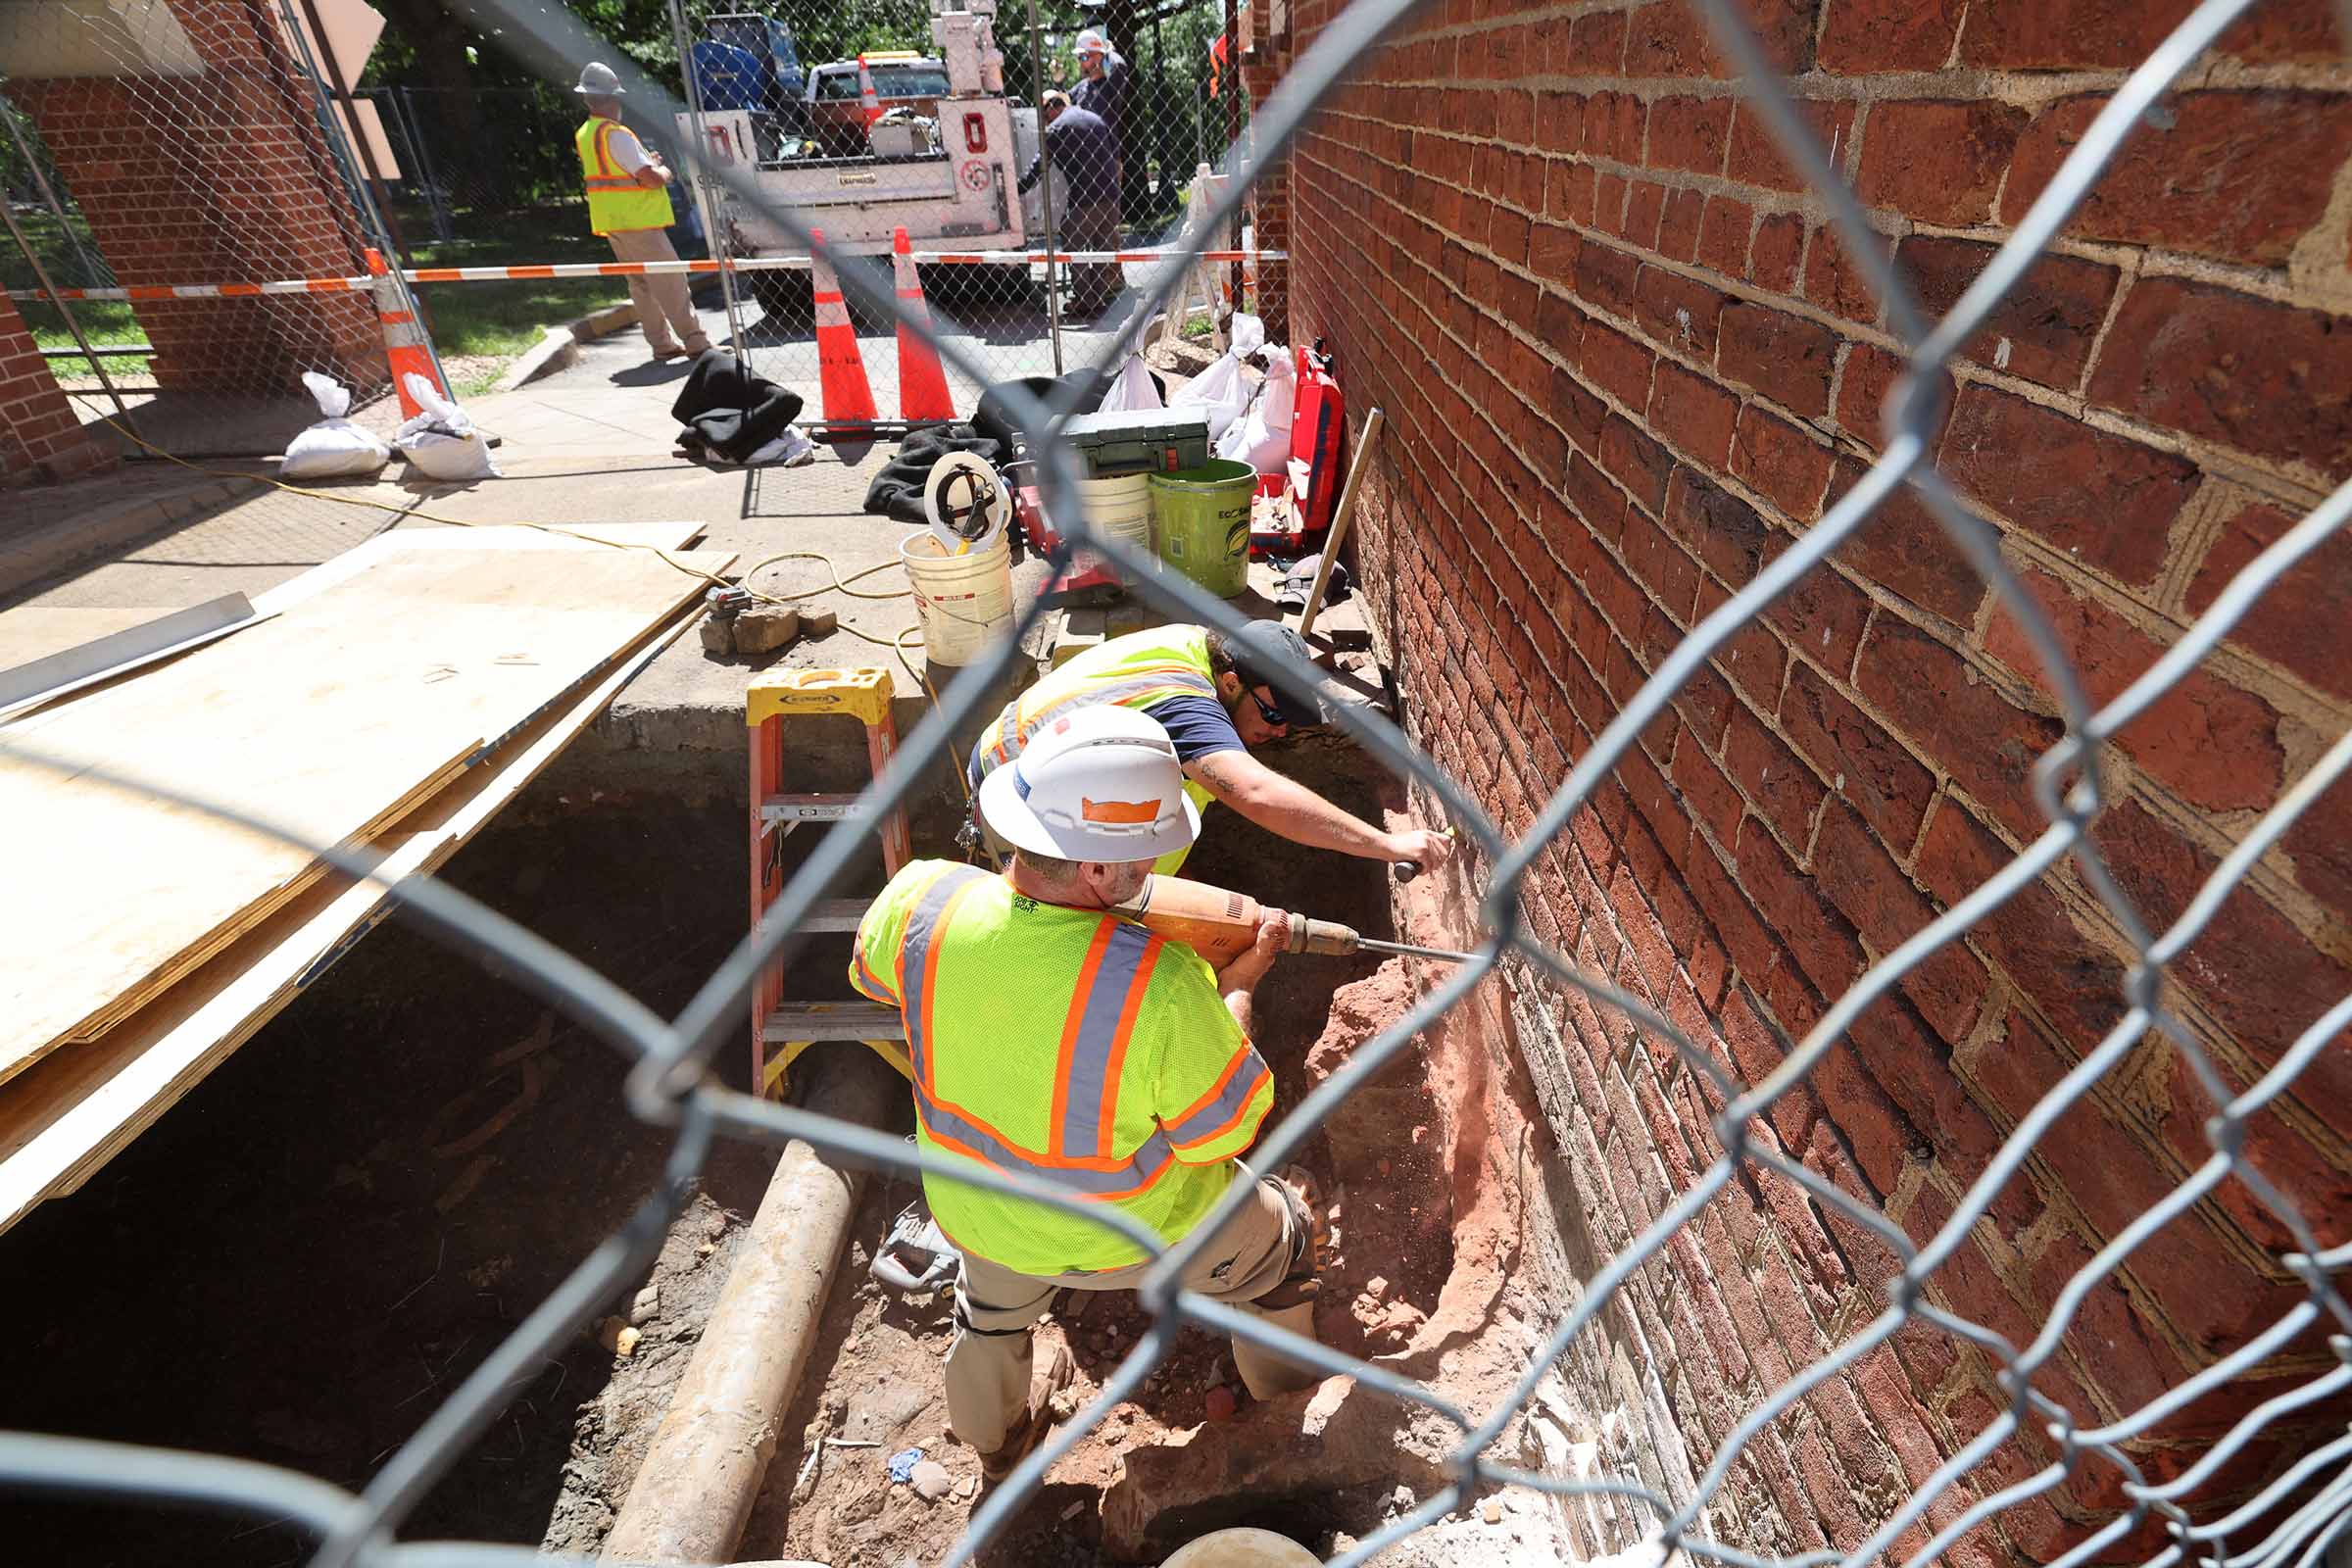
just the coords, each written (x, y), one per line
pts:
(74, 1111)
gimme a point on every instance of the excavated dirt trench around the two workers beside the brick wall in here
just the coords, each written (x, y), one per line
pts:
(307, 1257)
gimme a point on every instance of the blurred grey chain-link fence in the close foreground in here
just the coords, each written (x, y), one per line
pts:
(2287, 1522)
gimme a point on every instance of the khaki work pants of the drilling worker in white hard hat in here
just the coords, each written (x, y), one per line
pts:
(1262, 1261)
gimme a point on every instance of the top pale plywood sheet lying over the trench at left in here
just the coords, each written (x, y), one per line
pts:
(333, 721)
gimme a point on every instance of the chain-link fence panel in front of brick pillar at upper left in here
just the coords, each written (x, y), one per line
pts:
(189, 145)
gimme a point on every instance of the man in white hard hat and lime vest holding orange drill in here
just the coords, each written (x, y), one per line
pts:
(1057, 1040)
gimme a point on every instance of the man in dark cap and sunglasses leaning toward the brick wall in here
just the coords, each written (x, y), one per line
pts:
(1215, 699)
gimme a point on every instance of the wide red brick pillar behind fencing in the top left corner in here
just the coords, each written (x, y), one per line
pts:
(218, 177)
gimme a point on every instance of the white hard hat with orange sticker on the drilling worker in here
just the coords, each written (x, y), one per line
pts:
(1097, 784)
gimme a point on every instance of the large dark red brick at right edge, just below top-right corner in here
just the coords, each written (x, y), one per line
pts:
(2229, 175)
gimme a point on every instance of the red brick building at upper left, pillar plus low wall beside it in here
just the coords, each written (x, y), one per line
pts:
(189, 142)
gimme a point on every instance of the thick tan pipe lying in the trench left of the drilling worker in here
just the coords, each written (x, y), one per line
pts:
(709, 1456)
